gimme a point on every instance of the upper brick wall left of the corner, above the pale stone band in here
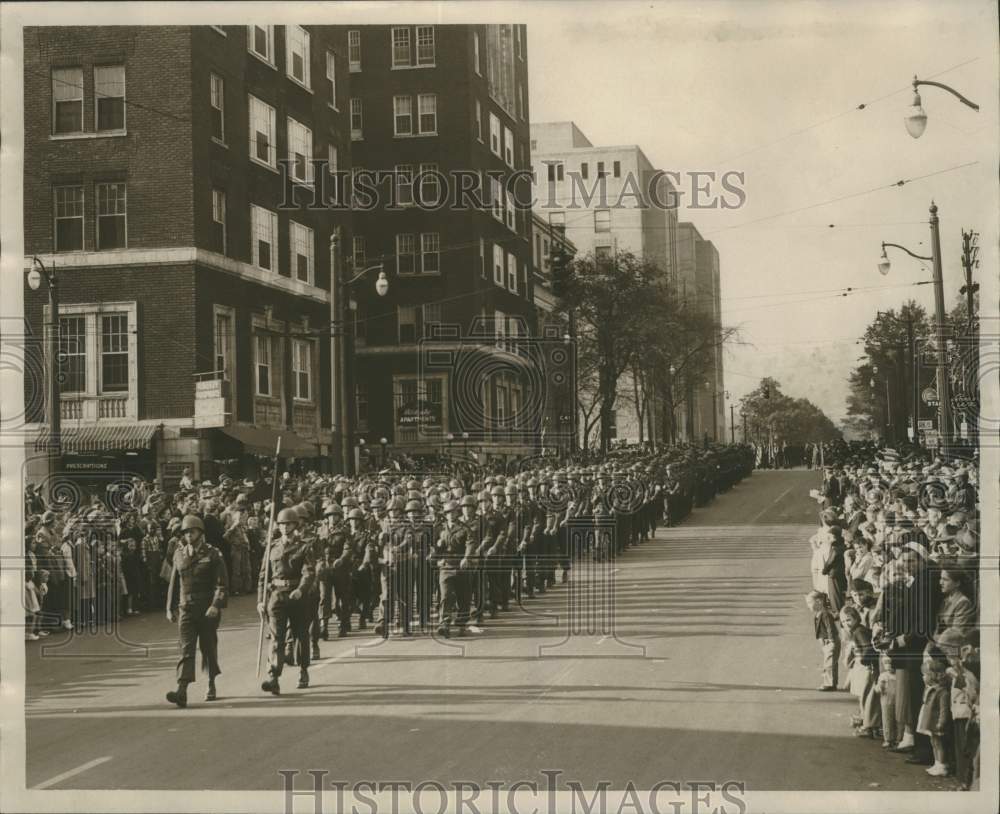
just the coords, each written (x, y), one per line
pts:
(154, 157)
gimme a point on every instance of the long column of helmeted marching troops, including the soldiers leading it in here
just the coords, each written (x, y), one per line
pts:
(437, 555)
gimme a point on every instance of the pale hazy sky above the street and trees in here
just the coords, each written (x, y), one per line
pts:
(771, 89)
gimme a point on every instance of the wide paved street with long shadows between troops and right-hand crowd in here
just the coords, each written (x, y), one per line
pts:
(710, 674)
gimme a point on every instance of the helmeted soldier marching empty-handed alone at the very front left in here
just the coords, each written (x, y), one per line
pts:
(197, 589)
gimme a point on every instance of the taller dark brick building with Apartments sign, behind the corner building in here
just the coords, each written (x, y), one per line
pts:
(443, 352)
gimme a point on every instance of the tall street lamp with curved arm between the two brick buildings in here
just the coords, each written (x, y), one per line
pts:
(341, 357)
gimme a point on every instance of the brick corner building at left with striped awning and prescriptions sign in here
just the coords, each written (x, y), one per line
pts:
(153, 189)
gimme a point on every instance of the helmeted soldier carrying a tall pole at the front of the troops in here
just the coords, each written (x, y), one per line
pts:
(284, 591)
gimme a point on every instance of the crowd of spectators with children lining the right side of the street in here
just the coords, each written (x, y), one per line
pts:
(895, 574)
